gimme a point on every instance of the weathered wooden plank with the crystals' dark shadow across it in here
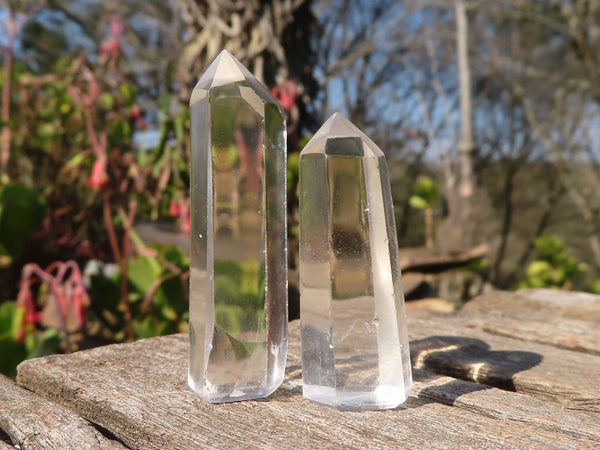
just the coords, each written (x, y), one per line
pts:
(443, 345)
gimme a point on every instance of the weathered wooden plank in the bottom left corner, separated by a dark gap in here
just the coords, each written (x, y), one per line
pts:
(31, 421)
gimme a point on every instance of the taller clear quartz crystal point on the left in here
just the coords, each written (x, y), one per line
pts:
(238, 277)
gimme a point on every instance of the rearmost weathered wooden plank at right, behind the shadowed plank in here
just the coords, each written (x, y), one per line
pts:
(563, 319)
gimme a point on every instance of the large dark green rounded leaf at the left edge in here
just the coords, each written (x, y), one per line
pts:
(21, 213)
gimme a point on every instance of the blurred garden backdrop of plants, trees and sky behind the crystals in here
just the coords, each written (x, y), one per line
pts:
(488, 113)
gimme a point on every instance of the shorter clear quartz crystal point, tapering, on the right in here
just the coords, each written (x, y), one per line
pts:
(355, 352)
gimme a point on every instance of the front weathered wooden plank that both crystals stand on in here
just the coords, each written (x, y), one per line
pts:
(138, 392)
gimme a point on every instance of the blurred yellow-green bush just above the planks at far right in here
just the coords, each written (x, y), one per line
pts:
(554, 268)
